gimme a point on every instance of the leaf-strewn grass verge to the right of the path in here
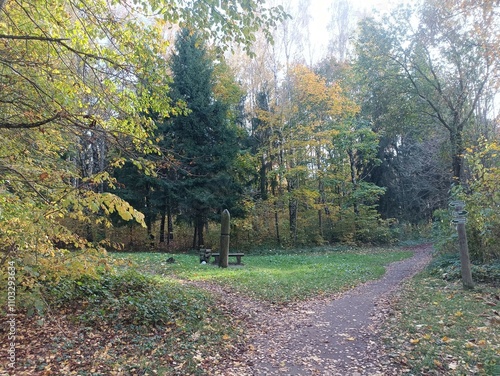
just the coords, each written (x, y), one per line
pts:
(442, 329)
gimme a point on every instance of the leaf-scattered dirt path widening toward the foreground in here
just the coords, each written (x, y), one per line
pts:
(325, 337)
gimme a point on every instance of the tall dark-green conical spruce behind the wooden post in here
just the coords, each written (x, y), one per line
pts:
(204, 142)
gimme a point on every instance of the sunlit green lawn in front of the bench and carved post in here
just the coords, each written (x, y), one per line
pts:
(281, 278)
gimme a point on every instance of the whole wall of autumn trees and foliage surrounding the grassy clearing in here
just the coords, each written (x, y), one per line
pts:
(131, 127)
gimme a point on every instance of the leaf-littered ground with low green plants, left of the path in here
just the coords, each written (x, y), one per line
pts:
(123, 323)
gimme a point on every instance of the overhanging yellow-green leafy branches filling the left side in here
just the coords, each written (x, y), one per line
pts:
(78, 81)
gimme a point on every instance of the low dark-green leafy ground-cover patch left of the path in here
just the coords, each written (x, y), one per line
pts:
(128, 298)
